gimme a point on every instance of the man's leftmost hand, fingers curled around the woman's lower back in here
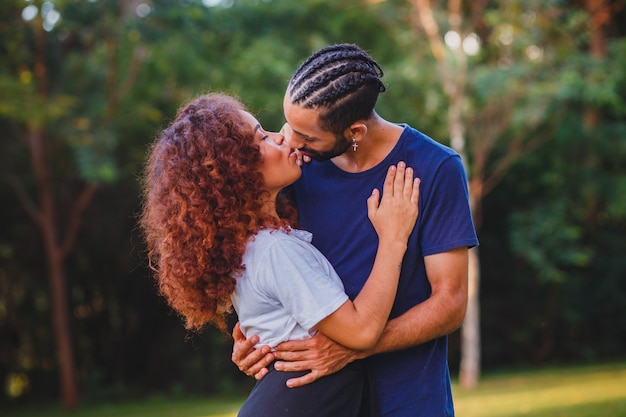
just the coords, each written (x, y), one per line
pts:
(250, 361)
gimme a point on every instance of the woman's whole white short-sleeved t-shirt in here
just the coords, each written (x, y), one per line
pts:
(288, 287)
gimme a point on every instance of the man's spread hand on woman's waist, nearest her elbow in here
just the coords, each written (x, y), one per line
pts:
(319, 354)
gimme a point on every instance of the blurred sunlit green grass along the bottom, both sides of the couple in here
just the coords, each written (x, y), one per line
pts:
(591, 391)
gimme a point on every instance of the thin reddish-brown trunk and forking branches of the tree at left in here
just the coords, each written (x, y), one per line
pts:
(59, 241)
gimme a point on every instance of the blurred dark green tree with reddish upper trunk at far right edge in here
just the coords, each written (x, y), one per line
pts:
(571, 238)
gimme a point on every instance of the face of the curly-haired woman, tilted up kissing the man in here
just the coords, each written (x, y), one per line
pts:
(279, 165)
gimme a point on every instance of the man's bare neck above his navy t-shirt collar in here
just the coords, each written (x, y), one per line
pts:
(380, 139)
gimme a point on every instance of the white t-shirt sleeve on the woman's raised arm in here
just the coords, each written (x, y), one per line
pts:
(302, 281)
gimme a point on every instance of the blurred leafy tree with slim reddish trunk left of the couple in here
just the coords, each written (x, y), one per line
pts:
(52, 113)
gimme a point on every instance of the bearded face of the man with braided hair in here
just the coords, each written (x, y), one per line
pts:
(302, 132)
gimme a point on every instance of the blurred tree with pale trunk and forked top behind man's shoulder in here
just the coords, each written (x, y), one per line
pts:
(507, 93)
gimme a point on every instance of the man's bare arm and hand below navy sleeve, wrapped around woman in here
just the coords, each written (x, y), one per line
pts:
(440, 314)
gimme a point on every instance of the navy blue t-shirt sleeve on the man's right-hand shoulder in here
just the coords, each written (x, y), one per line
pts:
(446, 218)
